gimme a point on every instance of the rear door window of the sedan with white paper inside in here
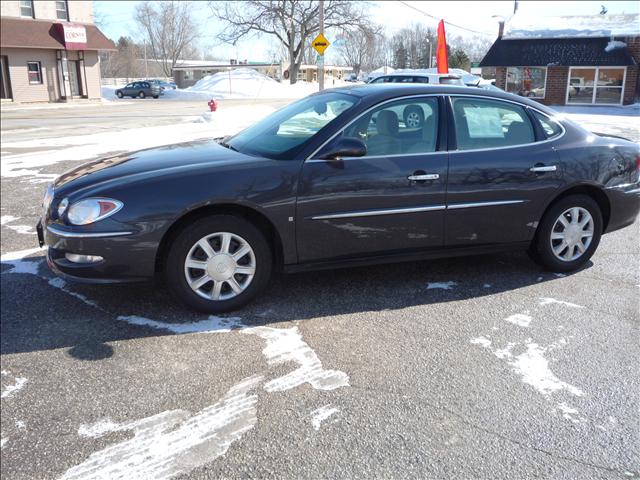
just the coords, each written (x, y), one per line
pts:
(484, 123)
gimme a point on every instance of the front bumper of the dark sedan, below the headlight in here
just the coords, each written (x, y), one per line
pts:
(126, 257)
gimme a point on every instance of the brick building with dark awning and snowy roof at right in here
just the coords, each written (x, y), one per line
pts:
(578, 60)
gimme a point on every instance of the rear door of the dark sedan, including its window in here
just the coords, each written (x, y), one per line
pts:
(501, 174)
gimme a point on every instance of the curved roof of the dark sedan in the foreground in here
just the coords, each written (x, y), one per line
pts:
(384, 91)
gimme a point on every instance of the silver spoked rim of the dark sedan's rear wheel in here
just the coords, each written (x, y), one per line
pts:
(571, 234)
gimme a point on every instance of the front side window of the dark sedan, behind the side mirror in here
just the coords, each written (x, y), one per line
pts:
(402, 127)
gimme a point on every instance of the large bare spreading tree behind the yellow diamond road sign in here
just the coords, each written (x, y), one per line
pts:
(292, 22)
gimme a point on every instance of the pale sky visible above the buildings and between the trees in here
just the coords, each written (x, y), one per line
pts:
(476, 15)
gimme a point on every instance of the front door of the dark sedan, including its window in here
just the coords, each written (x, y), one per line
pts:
(390, 201)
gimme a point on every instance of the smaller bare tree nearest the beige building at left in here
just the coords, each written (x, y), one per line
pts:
(169, 30)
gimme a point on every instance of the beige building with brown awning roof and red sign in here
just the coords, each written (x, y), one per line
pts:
(49, 51)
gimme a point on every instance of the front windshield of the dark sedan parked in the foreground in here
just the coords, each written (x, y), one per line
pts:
(279, 135)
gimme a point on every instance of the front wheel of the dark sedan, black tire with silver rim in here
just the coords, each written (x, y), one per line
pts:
(213, 229)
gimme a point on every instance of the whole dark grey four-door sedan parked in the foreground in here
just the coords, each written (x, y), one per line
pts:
(341, 178)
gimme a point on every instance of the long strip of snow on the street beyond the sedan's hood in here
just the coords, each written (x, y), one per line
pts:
(86, 147)
